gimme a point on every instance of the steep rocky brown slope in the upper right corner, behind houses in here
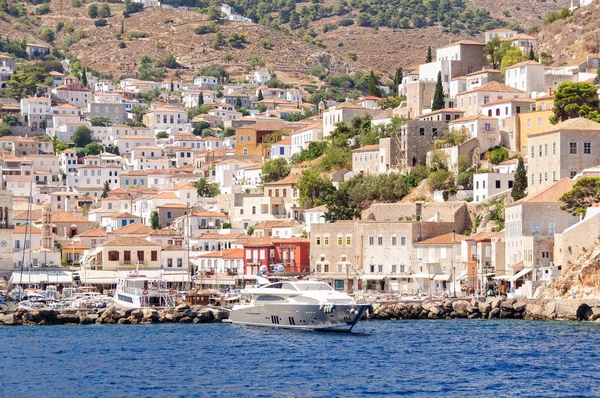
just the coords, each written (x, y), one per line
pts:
(573, 38)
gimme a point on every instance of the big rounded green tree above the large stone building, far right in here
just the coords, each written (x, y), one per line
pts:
(575, 99)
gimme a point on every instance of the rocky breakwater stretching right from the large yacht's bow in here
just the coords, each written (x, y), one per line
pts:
(490, 308)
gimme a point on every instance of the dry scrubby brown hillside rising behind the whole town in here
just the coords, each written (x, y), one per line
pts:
(171, 31)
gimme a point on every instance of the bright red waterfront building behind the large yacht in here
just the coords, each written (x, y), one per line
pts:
(292, 253)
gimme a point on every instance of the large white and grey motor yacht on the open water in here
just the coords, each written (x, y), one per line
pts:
(311, 305)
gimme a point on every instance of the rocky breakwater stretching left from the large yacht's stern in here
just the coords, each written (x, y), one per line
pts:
(181, 314)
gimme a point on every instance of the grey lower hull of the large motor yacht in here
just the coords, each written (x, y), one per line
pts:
(342, 317)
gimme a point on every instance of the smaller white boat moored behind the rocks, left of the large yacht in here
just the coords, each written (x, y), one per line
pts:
(138, 291)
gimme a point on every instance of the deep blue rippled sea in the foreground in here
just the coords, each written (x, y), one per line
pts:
(448, 358)
